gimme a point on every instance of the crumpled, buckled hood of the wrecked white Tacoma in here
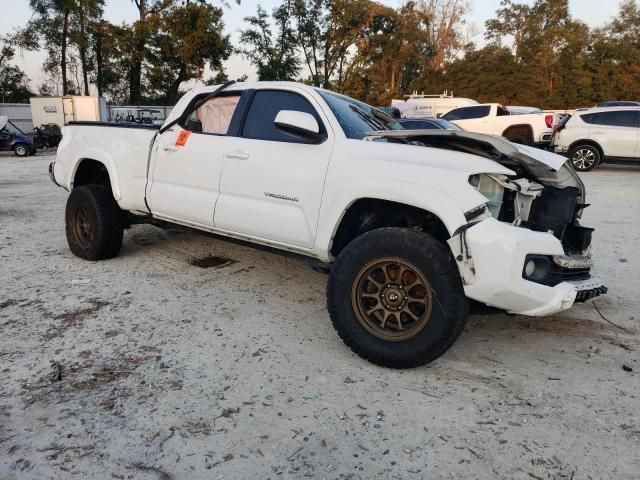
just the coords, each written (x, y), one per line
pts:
(546, 167)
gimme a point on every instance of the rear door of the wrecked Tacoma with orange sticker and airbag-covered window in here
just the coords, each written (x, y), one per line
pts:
(187, 161)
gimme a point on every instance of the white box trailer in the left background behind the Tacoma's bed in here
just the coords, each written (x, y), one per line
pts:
(61, 110)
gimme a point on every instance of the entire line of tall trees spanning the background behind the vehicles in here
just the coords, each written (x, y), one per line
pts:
(536, 55)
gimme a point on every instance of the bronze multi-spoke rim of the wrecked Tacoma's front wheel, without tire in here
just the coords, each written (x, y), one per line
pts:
(392, 299)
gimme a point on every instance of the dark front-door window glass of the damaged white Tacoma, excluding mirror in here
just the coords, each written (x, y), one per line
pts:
(265, 106)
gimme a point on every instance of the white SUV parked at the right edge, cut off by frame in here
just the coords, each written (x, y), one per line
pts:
(599, 135)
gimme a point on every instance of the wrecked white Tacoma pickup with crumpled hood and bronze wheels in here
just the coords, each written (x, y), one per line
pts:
(416, 227)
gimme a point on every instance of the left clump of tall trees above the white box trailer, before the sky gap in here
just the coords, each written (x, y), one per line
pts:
(144, 62)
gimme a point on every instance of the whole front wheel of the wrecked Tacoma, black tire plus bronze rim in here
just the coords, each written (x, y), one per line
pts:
(396, 299)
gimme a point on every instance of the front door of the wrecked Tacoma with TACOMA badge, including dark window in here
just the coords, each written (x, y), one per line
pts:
(272, 182)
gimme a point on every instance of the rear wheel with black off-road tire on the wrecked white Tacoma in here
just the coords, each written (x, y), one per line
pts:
(104, 218)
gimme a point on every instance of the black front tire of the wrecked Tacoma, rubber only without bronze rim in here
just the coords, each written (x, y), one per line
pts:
(450, 307)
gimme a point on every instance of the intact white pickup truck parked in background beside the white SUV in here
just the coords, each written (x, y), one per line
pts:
(494, 119)
